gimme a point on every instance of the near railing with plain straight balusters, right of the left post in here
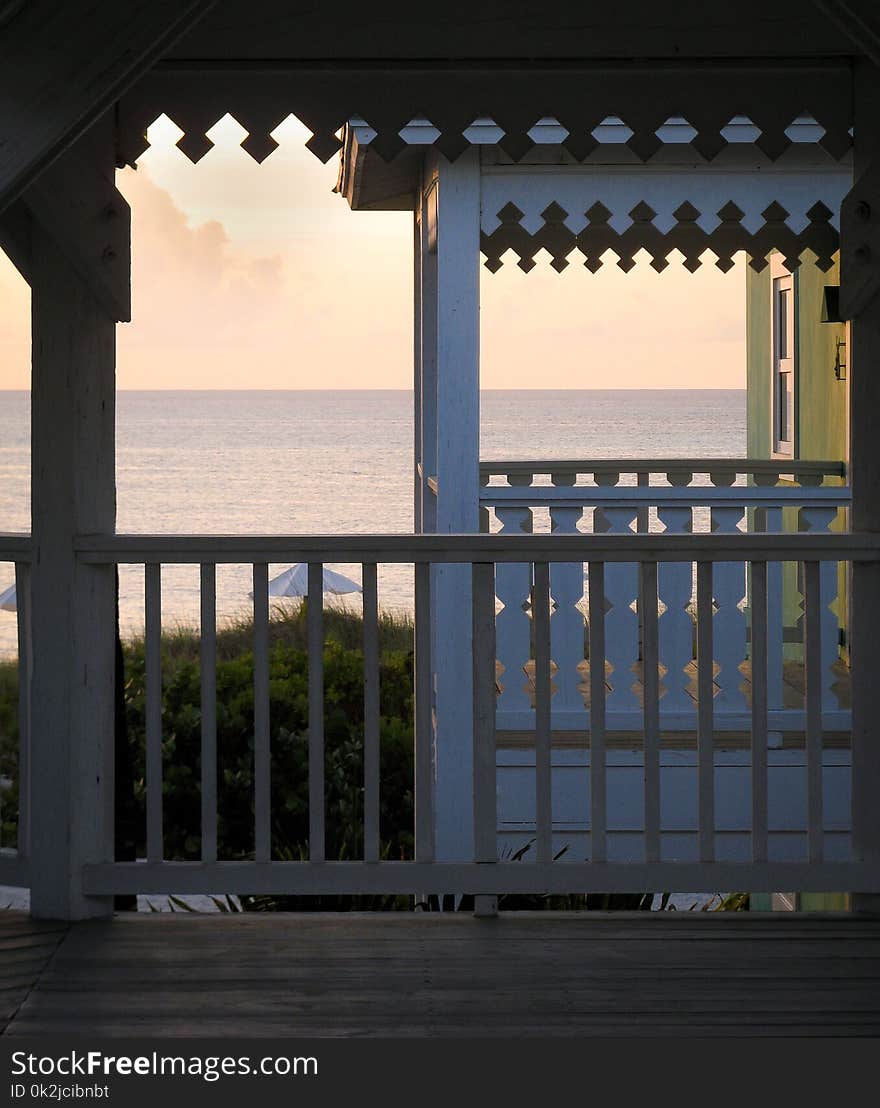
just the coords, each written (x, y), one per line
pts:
(809, 851)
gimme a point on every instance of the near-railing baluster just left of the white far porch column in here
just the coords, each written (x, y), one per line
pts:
(424, 717)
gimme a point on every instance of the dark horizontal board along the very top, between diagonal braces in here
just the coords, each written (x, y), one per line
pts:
(234, 33)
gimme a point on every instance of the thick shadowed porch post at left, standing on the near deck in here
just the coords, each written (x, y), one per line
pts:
(74, 493)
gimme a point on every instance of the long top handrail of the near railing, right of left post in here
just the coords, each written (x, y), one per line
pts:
(103, 550)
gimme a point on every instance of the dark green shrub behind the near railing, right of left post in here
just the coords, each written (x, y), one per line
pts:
(289, 715)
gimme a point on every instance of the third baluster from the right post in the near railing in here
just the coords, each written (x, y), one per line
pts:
(705, 715)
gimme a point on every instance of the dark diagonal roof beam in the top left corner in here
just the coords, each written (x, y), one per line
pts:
(64, 66)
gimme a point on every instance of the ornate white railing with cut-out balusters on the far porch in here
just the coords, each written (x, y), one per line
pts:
(674, 497)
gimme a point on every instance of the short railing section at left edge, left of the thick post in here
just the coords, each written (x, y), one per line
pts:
(14, 856)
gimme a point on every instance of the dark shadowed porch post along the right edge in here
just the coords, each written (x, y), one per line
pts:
(861, 297)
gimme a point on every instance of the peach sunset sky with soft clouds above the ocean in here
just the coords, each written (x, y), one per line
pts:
(250, 276)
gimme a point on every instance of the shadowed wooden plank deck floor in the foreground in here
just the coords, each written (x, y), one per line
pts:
(538, 974)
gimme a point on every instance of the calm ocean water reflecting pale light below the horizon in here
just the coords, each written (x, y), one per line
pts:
(331, 463)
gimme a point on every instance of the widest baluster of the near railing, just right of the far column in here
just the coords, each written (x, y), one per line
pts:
(485, 804)
